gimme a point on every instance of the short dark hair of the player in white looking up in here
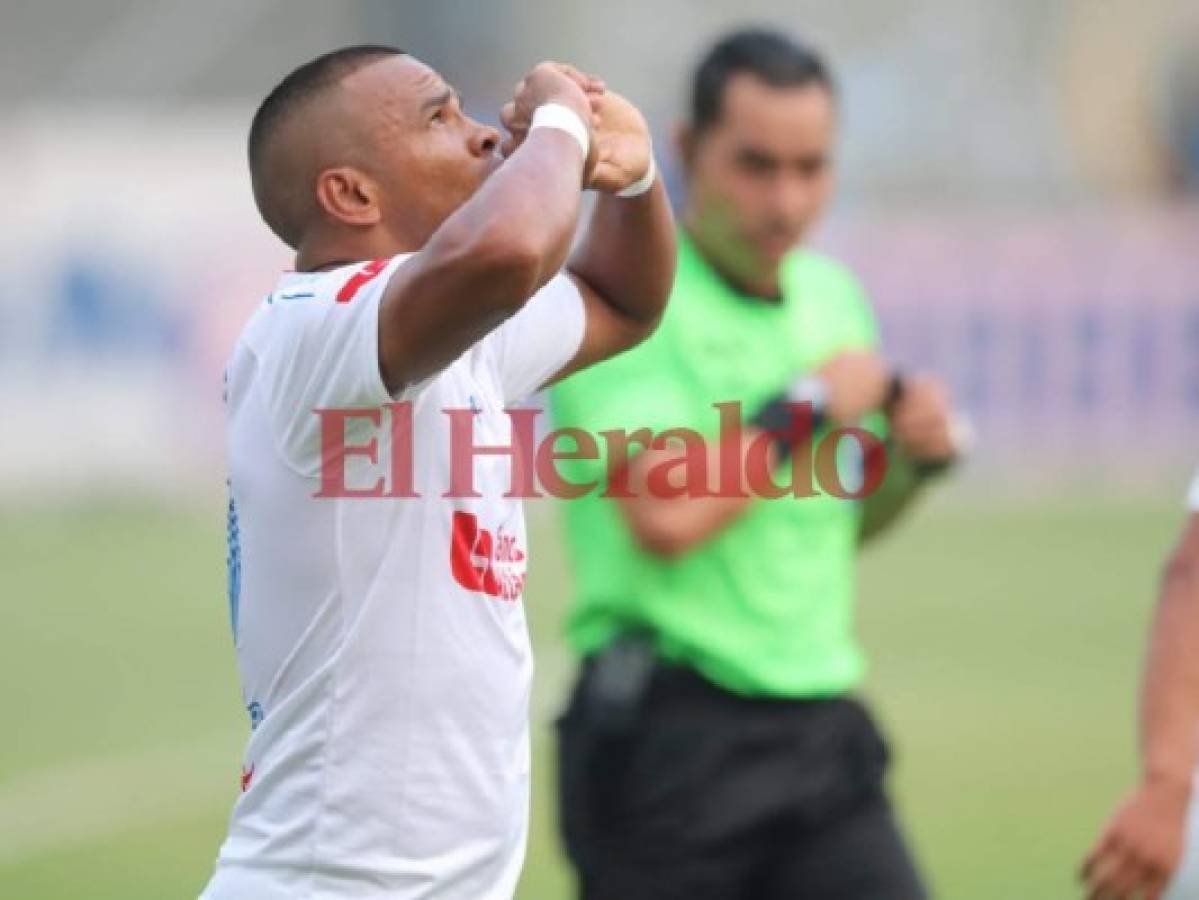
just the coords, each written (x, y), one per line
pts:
(287, 99)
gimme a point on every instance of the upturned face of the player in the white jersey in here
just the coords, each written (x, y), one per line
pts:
(427, 155)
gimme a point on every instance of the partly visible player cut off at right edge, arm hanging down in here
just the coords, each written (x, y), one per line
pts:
(1143, 851)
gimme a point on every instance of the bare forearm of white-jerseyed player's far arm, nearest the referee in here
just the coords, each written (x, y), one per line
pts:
(629, 256)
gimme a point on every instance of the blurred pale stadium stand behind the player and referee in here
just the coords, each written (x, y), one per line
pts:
(1014, 178)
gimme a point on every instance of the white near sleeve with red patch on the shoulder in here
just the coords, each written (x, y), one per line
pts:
(317, 347)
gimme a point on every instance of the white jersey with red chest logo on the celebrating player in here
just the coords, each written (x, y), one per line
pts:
(382, 642)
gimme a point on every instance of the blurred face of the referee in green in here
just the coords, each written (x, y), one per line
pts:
(762, 176)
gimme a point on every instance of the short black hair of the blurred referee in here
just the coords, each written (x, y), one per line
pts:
(773, 57)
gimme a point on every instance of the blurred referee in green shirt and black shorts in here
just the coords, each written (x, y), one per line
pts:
(713, 747)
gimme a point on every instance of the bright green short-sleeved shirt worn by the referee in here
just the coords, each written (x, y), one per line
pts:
(766, 607)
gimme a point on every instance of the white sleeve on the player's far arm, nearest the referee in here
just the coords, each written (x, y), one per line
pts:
(538, 342)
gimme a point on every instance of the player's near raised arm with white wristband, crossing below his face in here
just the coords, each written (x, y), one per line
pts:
(496, 251)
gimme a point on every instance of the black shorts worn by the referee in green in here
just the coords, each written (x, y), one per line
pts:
(713, 796)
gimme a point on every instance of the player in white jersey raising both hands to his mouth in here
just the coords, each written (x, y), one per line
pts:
(381, 636)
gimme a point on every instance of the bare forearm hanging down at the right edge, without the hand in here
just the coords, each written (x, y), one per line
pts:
(1171, 691)
